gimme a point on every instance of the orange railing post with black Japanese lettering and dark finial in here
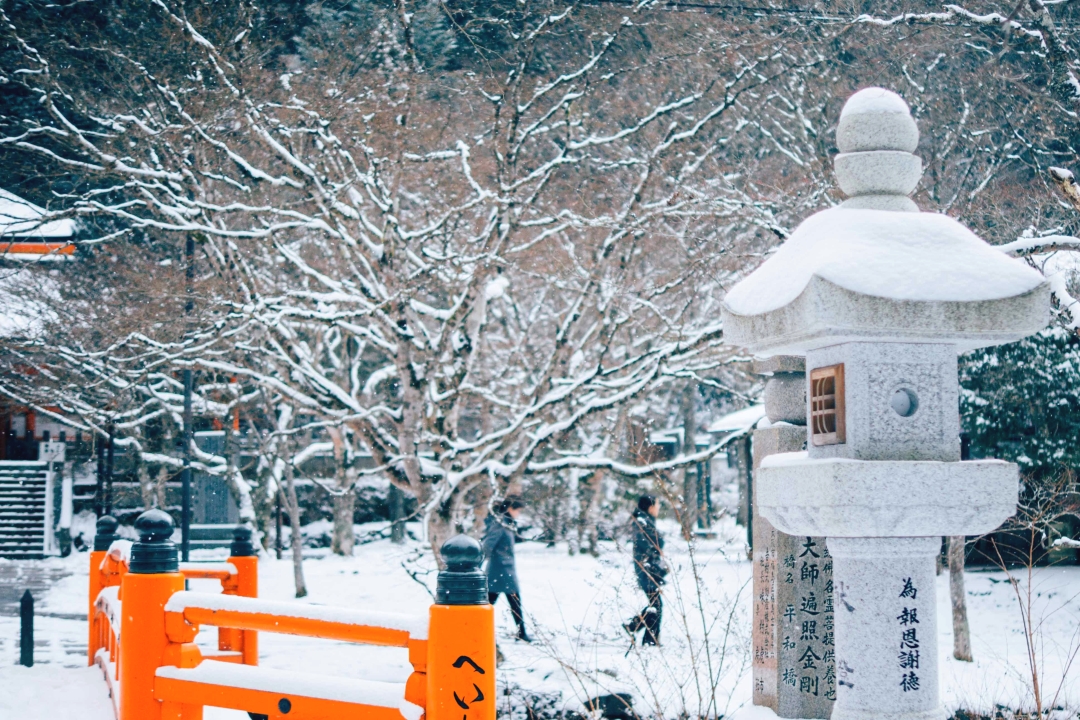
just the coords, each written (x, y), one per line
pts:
(461, 665)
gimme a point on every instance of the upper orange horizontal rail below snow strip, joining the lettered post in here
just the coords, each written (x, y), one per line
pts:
(304, 627)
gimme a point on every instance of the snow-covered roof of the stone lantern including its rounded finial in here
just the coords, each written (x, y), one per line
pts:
(876, 269)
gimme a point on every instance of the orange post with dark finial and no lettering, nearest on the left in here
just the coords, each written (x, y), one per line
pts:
(153, 578)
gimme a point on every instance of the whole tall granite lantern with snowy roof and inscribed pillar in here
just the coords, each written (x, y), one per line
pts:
(880, 300)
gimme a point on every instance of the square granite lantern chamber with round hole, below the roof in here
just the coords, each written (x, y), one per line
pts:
(874, 373)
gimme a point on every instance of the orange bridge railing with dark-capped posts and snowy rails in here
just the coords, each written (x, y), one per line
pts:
(144, 626)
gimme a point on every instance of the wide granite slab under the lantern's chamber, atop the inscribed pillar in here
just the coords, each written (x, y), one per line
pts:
(885, 499)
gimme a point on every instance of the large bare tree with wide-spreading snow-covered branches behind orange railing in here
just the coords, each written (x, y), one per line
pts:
(467, 274)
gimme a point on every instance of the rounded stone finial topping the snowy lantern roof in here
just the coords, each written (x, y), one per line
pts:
(876, 138)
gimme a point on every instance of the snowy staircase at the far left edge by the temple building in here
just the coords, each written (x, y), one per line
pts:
(24, 504)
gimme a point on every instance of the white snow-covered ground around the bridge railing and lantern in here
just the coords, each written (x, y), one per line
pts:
(575, 607)
